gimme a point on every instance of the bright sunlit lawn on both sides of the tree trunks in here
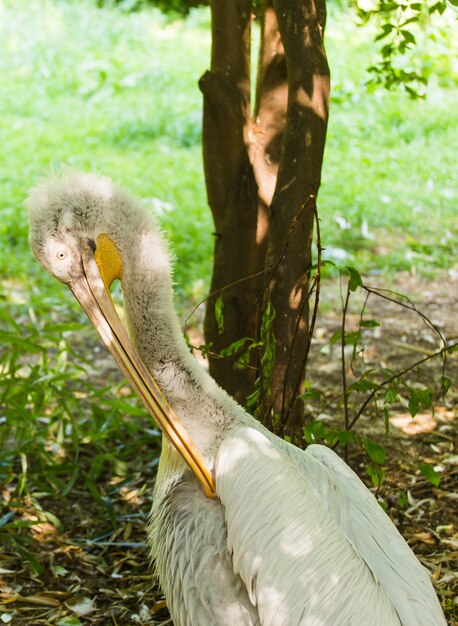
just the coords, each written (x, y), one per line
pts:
(116, 92)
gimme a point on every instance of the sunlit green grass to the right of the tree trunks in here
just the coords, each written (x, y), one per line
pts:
(390, 163)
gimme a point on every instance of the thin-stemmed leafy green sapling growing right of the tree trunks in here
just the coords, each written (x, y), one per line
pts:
(379, 390)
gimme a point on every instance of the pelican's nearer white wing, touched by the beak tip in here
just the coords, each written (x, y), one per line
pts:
(296, 564)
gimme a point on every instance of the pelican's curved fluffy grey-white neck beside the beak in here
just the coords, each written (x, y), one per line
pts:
(204, 409)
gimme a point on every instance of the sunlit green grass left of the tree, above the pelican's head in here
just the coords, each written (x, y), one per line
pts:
(75, 92)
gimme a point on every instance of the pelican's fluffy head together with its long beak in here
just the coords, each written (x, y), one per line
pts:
(86, 232)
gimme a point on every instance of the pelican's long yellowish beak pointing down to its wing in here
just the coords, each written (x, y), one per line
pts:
(90, 292)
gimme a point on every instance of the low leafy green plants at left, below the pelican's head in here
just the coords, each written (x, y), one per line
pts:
(61, 426)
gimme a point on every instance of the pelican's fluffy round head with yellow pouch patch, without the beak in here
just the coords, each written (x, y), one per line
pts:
(76, 216)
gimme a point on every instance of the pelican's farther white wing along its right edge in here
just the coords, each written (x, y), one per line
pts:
(374, 536)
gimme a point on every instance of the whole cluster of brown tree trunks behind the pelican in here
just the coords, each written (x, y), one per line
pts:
(260, 174)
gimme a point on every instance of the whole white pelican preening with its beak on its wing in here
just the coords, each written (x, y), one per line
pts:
(245, 528)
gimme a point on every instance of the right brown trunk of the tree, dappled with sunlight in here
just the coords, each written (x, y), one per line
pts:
(291, 211)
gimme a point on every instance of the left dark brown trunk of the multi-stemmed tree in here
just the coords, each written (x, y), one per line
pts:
(231, 189)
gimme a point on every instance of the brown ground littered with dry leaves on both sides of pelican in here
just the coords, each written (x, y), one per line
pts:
(95, 571)
